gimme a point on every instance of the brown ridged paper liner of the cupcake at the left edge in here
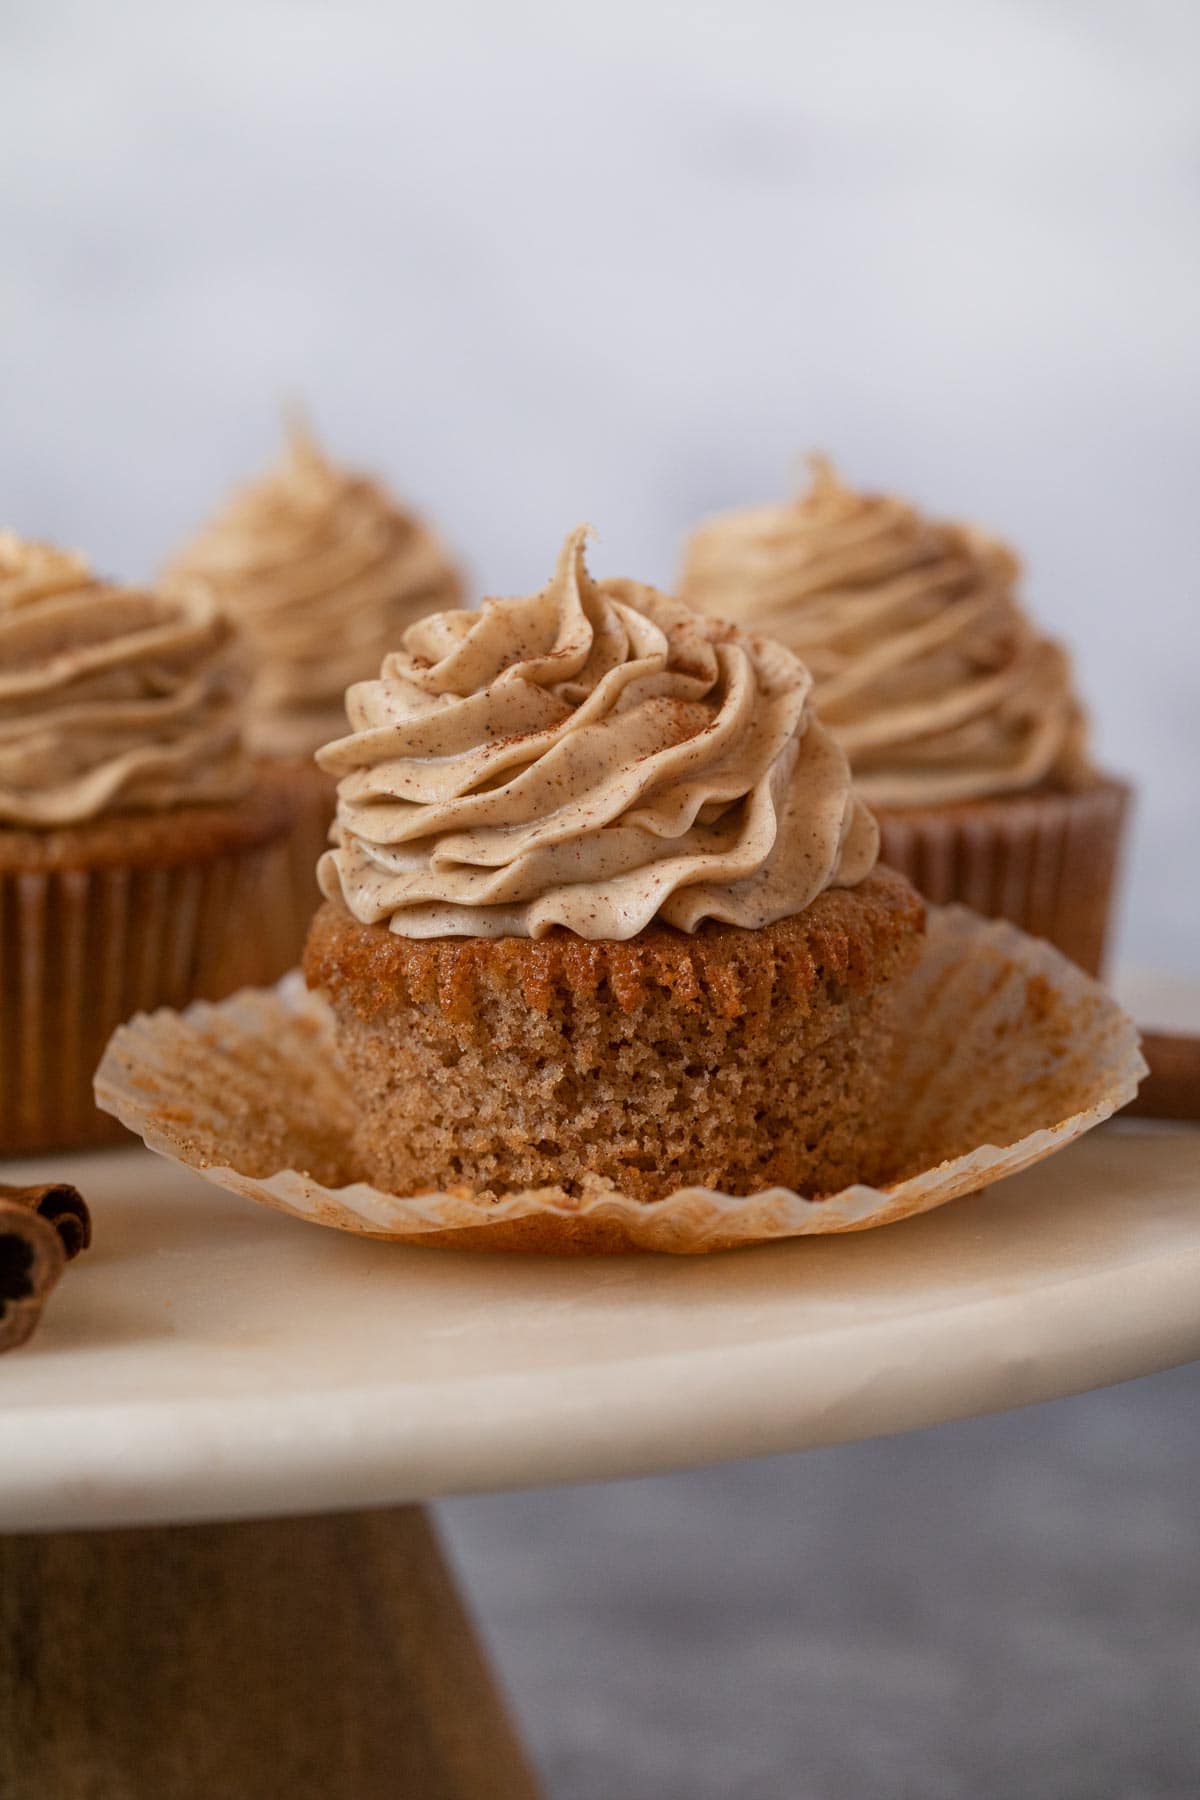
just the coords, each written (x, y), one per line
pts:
(84, 949)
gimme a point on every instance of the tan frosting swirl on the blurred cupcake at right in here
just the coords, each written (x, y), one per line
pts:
(926, 667)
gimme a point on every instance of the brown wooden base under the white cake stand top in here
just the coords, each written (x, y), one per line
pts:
(307, 1659)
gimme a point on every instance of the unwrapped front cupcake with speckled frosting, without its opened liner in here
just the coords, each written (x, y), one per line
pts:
(604, 908)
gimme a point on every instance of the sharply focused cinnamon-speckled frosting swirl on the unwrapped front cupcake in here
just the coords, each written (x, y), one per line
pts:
(595, 757)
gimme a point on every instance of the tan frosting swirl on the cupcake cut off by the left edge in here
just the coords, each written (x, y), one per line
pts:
(112, 699)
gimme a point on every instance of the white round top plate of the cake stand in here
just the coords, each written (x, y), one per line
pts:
(215, 1360)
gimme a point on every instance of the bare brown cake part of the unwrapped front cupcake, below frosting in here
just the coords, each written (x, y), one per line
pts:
(731, 1059)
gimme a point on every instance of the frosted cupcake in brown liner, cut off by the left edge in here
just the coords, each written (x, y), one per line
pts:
(139, 859)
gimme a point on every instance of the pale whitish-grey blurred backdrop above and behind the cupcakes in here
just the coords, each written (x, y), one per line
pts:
(544, 262)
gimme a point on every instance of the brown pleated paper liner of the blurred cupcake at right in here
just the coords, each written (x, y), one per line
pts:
(1046, 861)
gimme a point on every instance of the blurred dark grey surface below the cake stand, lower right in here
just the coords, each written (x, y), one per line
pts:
(1001, 1610)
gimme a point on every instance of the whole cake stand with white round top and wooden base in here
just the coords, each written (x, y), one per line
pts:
(219, 1576)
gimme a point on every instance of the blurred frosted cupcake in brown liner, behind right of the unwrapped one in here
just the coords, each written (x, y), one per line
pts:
(960, 721)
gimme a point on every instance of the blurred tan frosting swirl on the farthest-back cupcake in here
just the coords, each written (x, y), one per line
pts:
(323, 571)
